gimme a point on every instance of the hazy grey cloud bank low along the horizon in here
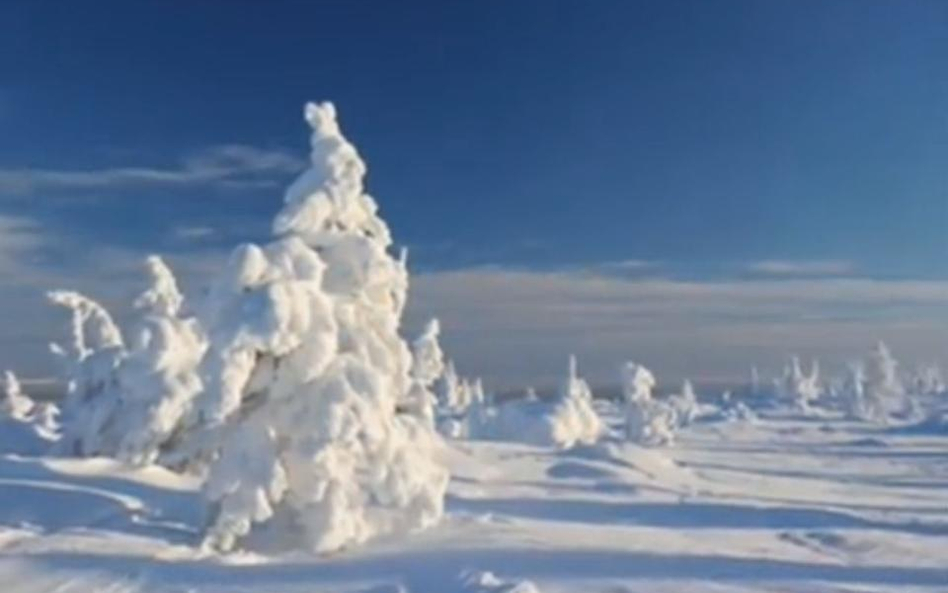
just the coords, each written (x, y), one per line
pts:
(517, 326)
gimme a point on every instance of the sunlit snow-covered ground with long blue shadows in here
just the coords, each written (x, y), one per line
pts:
(784, 503)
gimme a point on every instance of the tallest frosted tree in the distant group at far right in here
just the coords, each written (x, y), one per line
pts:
(873, 390)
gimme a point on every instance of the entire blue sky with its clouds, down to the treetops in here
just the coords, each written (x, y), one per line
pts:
(793, 148)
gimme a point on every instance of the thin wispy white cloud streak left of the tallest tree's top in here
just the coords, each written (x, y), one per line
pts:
(231, 166)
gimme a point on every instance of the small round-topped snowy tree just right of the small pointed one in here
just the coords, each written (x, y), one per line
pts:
(647, 421)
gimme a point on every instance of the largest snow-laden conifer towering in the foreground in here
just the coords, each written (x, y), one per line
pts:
(306, 371)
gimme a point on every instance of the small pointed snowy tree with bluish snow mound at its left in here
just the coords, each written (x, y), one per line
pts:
(567, 420)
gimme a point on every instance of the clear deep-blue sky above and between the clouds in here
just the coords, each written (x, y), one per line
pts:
(518, 132)
